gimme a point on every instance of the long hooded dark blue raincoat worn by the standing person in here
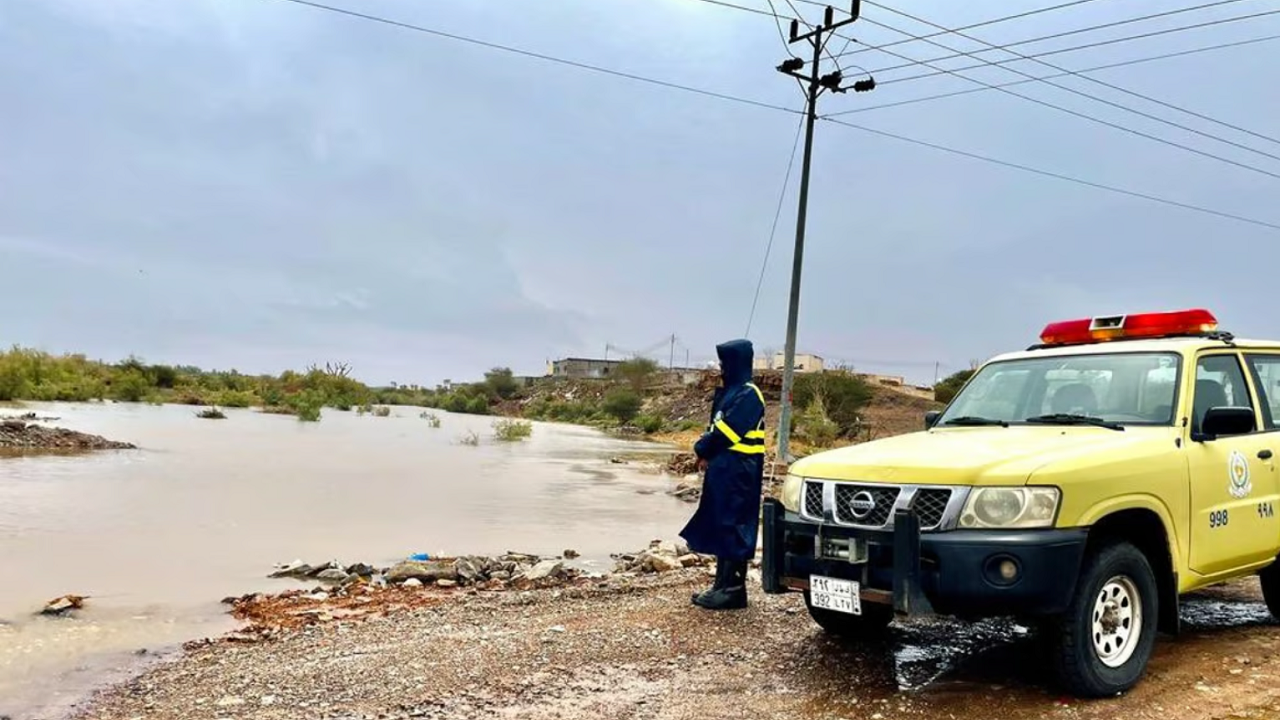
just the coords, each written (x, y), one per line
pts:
(729, 514)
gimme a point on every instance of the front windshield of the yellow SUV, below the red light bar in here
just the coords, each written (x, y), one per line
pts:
(1108, 389)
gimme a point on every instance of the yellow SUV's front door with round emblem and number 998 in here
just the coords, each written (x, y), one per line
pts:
(1233, 479)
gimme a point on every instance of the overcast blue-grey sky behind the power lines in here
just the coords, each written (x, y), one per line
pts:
(262, 185)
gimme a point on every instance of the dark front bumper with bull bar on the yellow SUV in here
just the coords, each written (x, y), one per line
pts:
(948, 573)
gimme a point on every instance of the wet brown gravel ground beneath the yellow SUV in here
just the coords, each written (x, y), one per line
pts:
(641, 650)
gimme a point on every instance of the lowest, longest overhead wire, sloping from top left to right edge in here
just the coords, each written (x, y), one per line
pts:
(779, 108)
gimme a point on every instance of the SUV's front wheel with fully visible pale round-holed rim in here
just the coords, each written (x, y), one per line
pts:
(1101, 645)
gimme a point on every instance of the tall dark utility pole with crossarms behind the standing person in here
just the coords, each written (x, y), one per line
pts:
(816, 85)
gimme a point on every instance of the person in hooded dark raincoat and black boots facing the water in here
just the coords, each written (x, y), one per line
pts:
(733, 453)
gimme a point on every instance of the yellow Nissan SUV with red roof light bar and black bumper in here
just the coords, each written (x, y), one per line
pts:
(1082, 486)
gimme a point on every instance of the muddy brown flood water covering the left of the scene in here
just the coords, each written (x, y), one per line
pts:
(205, 508)
